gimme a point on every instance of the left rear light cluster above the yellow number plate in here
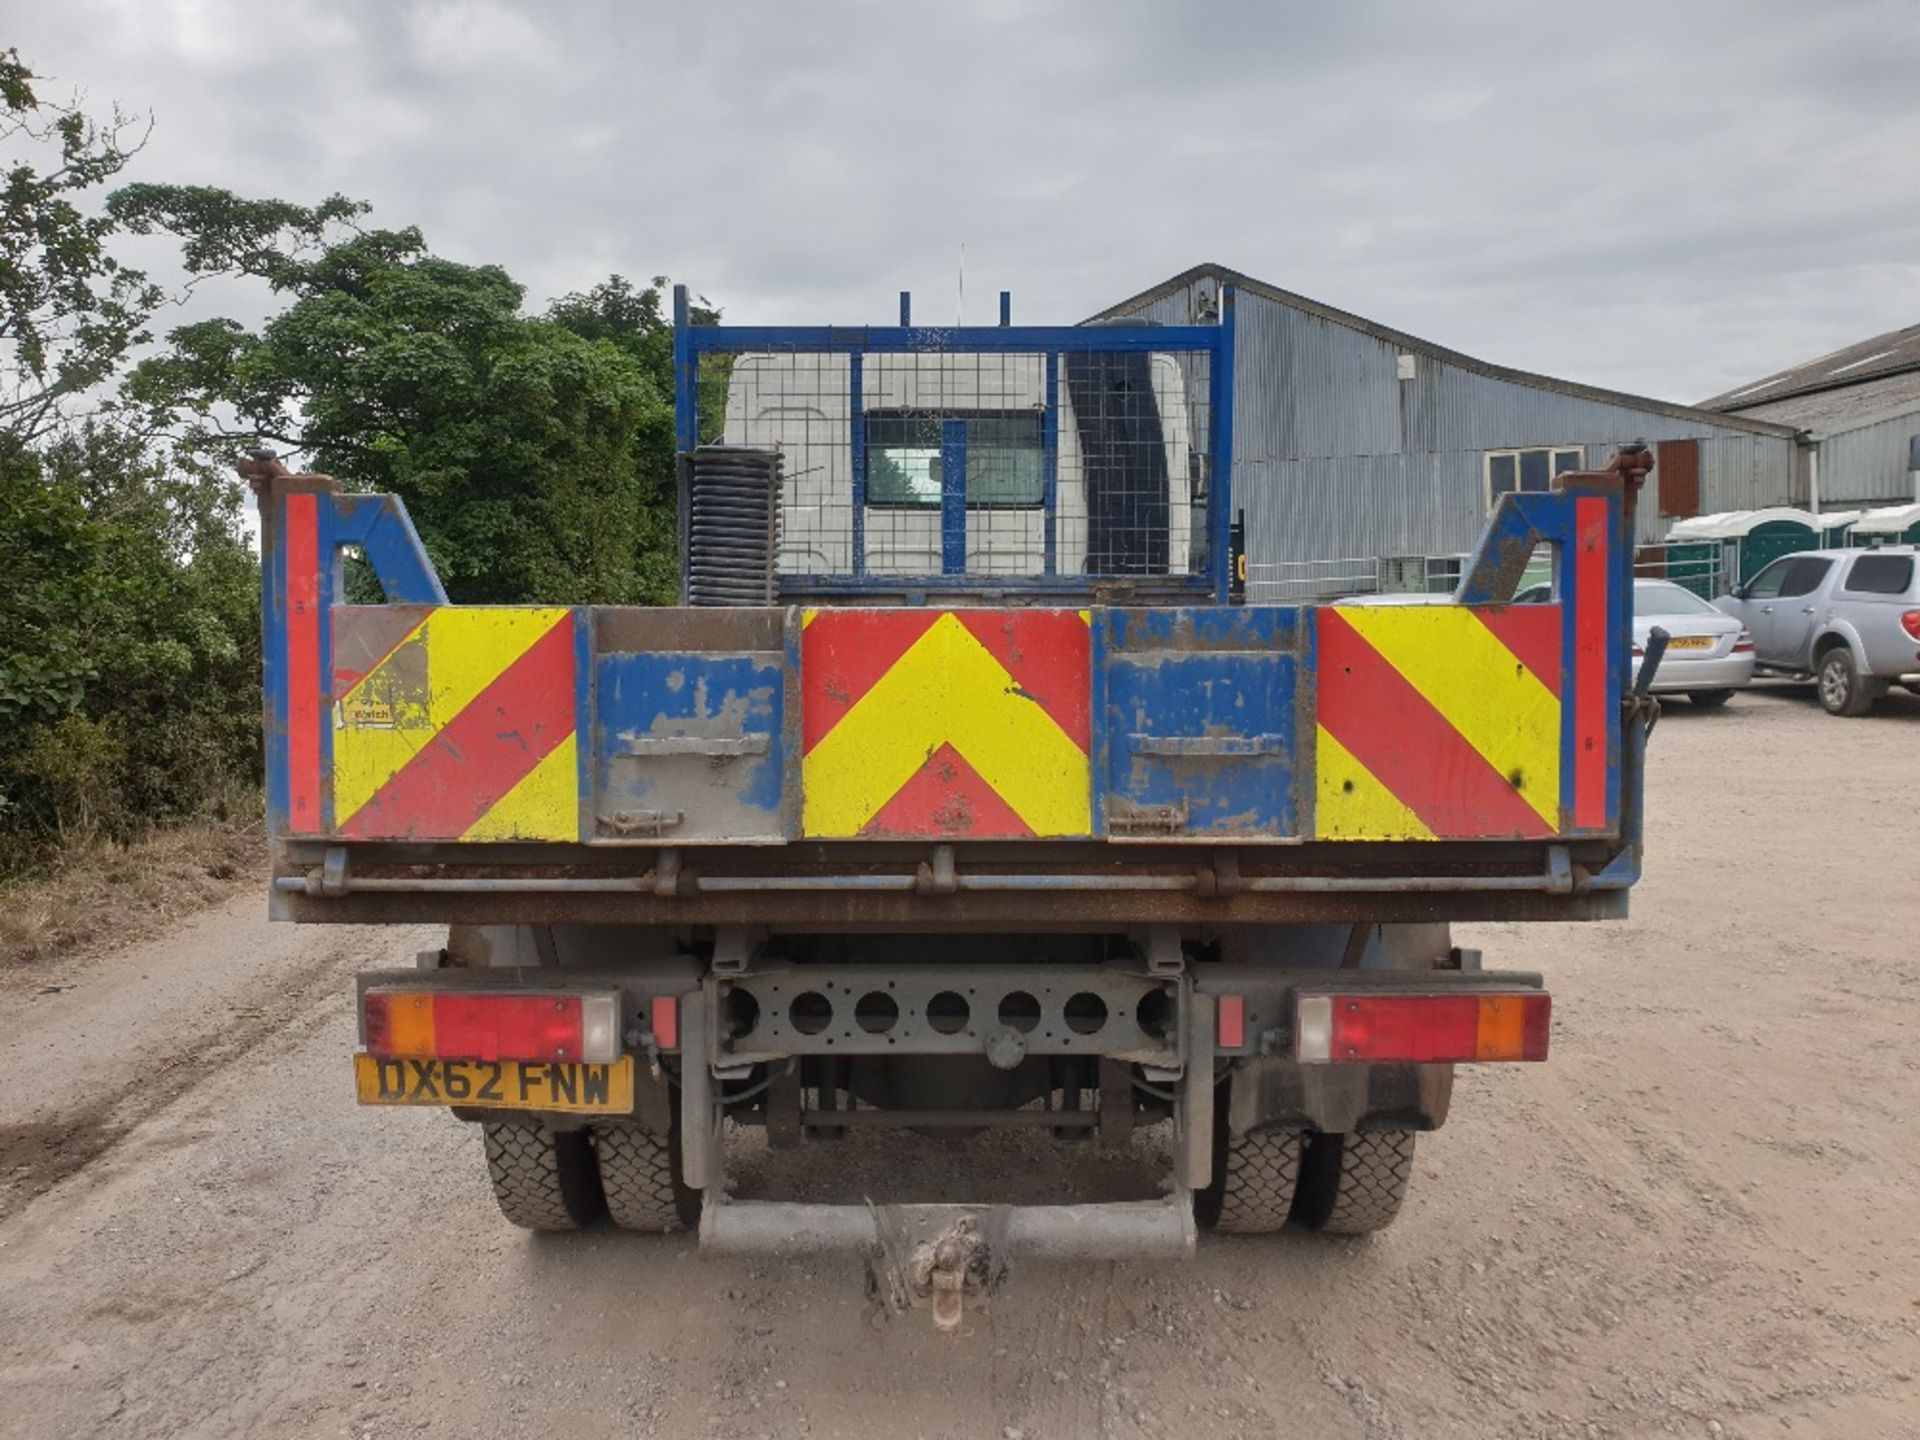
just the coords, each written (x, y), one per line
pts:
(487, 1026)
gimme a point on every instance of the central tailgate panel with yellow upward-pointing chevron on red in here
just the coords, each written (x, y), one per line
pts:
(946, 725)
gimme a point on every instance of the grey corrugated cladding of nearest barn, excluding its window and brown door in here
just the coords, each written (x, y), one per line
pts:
(1337, 456)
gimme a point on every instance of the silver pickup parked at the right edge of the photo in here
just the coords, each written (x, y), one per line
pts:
(1846, 617)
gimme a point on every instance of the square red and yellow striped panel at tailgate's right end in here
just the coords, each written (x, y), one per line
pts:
(1439, 723)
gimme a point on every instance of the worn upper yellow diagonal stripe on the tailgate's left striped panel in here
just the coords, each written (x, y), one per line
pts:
(427, 681)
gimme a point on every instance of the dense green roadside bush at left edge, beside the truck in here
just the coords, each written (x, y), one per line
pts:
(130, 681)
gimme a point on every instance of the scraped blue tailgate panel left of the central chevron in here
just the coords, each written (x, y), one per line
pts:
(690, 736)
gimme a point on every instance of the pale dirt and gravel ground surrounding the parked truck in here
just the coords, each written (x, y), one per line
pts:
(1702, 1218)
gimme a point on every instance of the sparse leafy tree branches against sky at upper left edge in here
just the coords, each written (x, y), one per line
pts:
(70, 312)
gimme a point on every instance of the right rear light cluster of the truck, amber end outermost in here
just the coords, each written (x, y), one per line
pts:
(1422, 1028)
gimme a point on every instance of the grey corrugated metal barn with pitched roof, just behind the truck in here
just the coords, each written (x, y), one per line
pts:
(1360, 450)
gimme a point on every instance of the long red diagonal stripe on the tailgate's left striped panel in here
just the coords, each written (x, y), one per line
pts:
(483, 754)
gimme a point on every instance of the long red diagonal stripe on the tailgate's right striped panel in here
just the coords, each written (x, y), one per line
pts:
(1408, 746)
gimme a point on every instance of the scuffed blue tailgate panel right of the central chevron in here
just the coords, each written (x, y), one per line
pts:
(1199, 723)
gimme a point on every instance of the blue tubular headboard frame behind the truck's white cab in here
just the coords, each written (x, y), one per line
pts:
(1047, 341)
